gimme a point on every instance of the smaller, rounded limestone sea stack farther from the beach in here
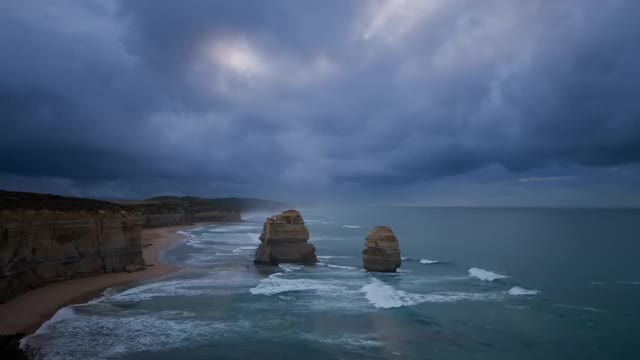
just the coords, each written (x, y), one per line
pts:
(382, 251)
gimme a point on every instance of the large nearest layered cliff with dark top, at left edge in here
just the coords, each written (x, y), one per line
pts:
(44, 238)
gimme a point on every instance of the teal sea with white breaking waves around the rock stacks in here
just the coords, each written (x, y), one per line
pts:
(475, 284)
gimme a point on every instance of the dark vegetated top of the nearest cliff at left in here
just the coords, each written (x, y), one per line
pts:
(16, 200)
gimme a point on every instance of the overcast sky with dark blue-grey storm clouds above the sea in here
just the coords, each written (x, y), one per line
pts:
(426, 102)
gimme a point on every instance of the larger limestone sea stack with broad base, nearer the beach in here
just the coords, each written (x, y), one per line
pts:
(284, 240)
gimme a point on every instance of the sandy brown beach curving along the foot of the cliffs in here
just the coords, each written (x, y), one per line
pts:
(29, 311)
